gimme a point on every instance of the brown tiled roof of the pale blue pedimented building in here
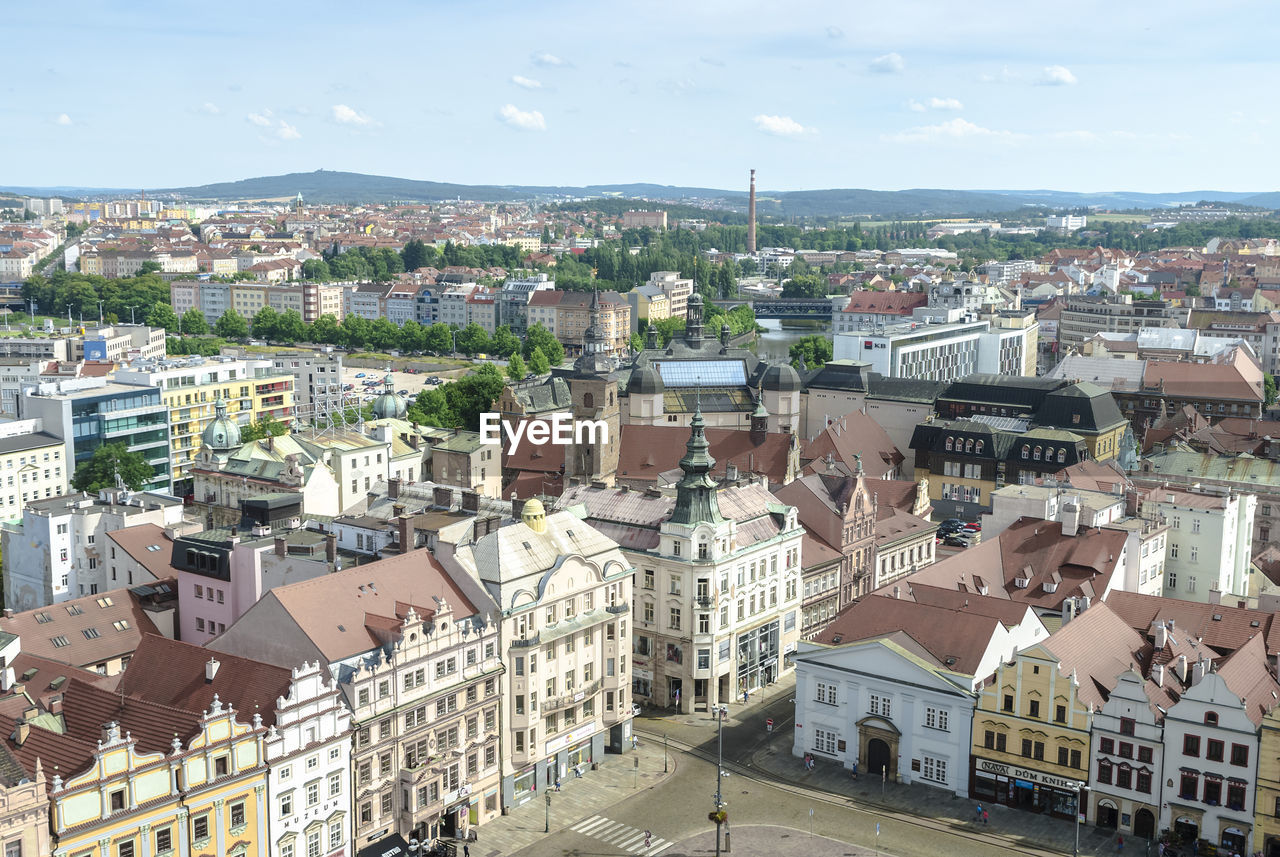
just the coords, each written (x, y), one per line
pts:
(956, 639)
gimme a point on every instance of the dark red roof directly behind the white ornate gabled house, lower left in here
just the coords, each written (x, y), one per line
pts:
(173, 673)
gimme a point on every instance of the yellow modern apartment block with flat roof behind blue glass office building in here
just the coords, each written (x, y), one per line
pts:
(249, 388)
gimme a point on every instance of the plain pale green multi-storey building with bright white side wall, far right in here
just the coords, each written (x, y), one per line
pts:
(1210, 543)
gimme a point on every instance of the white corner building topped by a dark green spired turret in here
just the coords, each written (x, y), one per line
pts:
(719, 585)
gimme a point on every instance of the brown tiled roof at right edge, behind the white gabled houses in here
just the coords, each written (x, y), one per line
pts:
(1226, 634)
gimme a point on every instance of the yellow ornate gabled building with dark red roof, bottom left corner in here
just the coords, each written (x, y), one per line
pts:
(135, 790)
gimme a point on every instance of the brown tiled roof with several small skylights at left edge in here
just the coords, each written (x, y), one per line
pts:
(83, 631)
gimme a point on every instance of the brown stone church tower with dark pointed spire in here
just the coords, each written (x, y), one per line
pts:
(596, 400)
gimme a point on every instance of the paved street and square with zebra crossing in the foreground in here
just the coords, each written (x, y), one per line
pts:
(774, 805)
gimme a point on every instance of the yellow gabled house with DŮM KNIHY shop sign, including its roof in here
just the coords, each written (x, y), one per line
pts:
(1031, 728)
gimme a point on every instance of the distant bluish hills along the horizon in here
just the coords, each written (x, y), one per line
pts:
(337, 187)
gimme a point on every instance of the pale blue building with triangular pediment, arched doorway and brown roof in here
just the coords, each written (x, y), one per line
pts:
(890, 685)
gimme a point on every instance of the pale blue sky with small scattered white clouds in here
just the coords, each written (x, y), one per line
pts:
(907, 94)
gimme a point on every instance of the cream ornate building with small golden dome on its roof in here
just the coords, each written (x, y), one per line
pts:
(565, 598)
